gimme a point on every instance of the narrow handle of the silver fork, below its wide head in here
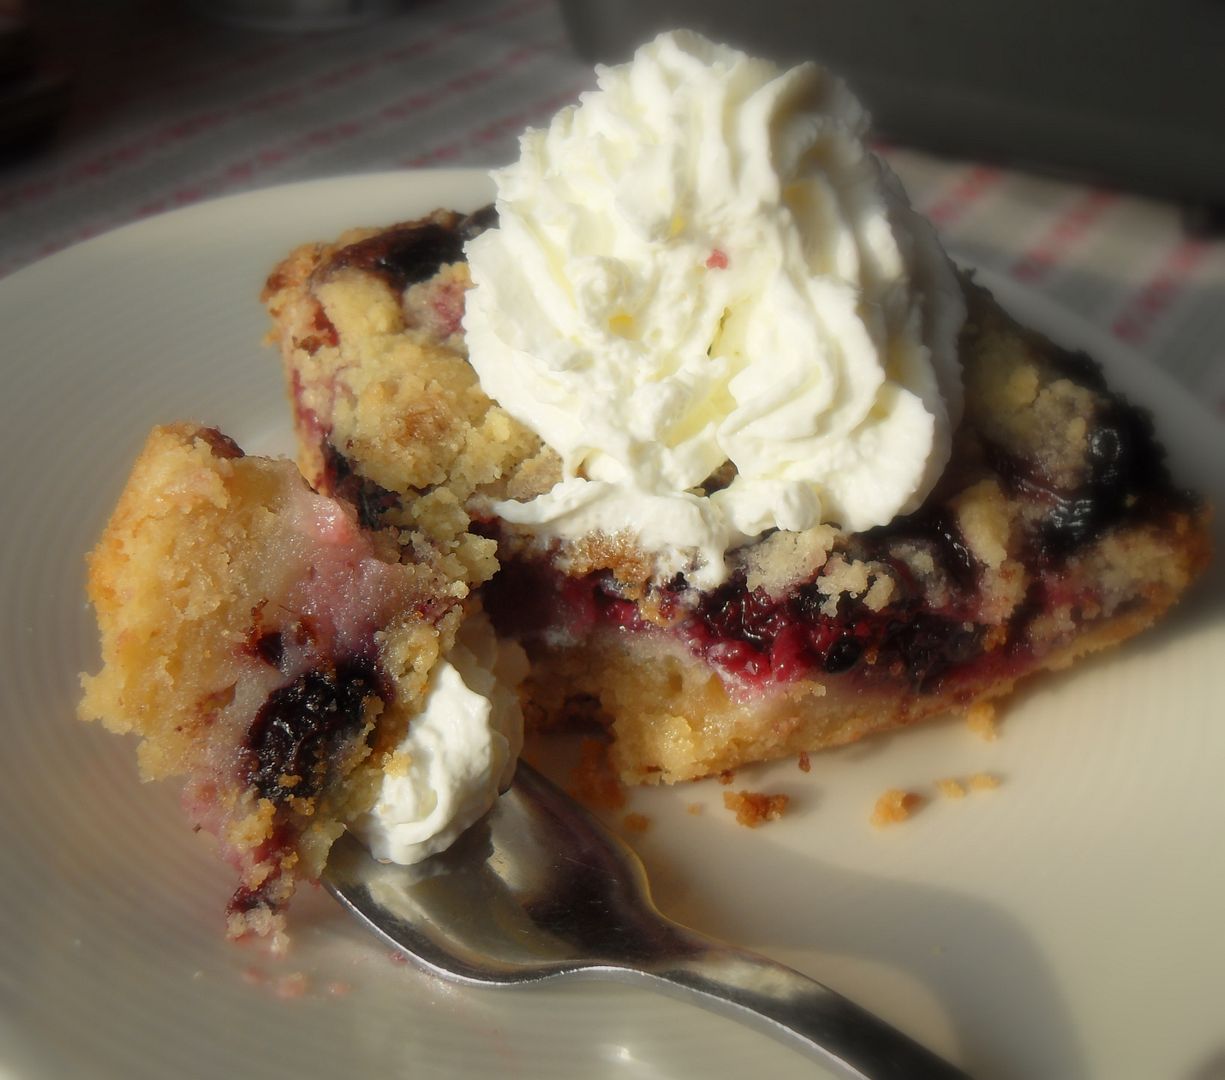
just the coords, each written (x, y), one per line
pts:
(799, 1011)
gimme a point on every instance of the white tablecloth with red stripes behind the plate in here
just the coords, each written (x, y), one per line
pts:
(167, 108)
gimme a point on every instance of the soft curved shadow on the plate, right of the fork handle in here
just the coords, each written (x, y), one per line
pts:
(984, 973)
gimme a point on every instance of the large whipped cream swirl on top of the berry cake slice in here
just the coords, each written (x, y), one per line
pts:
(701, 264)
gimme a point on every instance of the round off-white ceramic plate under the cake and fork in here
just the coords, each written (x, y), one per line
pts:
(1065, 925)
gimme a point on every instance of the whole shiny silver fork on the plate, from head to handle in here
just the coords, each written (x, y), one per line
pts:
(543, 891)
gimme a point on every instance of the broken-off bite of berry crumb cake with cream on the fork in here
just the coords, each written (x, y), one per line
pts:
(274, 653)
